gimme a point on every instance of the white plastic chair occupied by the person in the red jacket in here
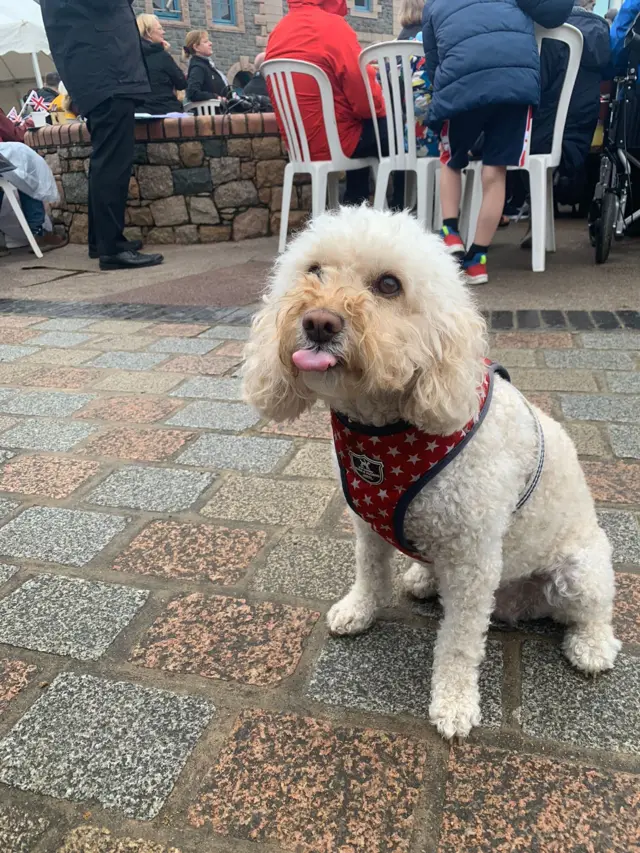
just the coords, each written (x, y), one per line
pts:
(324, 173)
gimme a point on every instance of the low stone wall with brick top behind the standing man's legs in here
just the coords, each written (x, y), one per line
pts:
(195, 180)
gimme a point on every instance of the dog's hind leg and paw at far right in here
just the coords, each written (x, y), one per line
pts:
(582, 592)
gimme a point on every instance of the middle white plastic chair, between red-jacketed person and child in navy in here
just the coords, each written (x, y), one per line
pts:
(393, 59)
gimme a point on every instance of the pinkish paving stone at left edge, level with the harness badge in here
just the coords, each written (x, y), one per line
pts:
(46, 476)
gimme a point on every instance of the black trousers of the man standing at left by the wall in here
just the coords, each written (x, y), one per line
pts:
(112, 128)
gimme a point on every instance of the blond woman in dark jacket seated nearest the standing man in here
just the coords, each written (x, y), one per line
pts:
(165, 77)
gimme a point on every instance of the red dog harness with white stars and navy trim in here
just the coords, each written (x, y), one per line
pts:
(384, 468)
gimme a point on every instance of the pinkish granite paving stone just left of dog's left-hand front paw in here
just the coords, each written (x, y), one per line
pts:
(227, 638)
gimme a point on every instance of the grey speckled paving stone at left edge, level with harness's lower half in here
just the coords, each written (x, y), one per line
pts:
(59, 535)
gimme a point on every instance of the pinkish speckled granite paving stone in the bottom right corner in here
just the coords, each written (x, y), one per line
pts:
(501, 802)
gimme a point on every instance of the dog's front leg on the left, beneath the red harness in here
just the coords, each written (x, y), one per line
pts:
(357, 610)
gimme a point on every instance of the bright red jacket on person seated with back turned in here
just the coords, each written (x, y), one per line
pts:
(315, 31)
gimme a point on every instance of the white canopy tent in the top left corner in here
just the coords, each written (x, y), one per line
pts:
(24, 50)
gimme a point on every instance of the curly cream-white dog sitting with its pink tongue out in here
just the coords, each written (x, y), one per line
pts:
(367, 312)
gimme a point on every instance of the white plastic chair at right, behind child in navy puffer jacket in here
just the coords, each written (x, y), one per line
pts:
(539, 166)
